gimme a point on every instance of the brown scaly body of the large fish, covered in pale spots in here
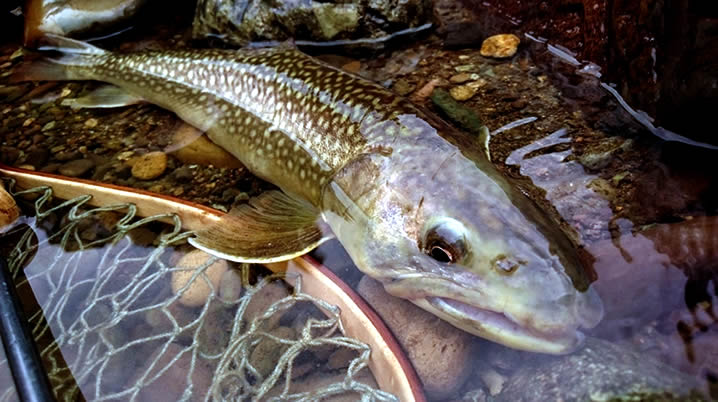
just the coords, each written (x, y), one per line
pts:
(276, 110)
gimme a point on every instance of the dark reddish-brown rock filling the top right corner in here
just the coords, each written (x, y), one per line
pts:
(661, 54)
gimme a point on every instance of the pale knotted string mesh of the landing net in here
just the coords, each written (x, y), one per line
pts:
(112, 323)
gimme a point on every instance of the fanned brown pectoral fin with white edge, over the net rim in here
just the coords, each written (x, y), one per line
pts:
(270, 228)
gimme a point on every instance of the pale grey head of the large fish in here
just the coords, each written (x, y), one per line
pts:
(456, 239)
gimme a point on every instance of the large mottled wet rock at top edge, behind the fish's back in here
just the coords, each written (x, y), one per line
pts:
(239, 22)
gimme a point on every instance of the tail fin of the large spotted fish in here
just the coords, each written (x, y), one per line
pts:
(66, 53)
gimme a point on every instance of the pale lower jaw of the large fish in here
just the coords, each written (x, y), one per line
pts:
(500, 328)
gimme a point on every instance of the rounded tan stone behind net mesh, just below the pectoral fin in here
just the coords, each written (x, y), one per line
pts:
(199, 290)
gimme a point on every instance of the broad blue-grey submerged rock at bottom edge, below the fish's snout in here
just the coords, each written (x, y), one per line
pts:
(600, 370)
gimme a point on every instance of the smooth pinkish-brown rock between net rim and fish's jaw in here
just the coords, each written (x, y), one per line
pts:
(441, 354)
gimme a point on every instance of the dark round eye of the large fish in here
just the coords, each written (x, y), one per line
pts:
(445, 242)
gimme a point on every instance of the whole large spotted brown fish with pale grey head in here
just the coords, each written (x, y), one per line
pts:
(415, 202)
